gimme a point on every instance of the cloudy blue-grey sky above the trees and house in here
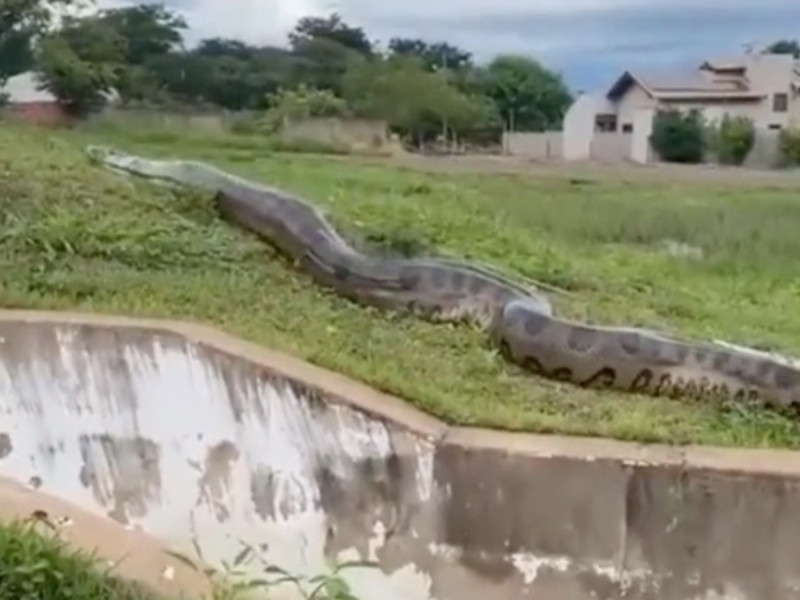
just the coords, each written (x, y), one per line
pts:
(590, 41)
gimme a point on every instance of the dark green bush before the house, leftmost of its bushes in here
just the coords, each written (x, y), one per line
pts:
(678, 137)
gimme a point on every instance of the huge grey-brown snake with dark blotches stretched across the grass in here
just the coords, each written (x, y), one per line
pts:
(519, 320)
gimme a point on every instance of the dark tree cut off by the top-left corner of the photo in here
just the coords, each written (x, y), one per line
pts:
(20, 22)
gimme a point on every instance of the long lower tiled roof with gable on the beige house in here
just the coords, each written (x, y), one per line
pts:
(681, 85)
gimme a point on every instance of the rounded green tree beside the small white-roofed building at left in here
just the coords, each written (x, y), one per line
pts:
(79, 63)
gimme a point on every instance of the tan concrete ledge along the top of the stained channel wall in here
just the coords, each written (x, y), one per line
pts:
(340, 388)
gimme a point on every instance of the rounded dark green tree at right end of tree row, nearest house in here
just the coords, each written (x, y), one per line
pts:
(528, 96)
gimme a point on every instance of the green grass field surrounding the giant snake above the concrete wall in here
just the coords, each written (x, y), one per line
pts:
(75, 237)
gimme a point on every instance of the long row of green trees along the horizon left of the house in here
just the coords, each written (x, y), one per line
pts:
(422, 88)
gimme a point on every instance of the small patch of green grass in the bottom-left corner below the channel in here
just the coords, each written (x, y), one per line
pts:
(40, 566)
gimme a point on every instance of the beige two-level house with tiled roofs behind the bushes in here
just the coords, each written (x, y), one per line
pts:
(763, 87)
